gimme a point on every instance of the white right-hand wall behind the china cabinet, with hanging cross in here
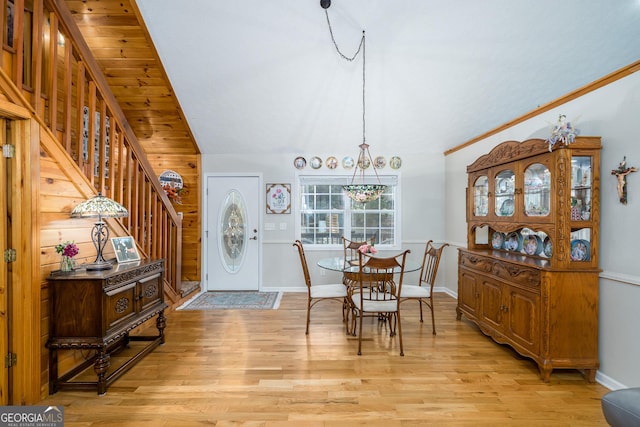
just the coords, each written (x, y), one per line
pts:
(612, 112)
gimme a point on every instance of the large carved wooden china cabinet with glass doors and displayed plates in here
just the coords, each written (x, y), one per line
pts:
(529, 274)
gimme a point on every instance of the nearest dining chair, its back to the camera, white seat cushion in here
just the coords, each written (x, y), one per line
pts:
(376, 294)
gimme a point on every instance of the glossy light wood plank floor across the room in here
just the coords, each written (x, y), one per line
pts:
(257, 368)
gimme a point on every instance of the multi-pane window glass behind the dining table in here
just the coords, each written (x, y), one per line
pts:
(326, 214)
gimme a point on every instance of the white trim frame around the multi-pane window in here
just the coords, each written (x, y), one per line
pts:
(304, 177)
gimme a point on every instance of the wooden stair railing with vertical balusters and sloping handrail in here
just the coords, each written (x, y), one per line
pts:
(52, 67)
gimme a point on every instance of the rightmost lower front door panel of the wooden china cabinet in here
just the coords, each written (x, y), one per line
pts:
(524, 322)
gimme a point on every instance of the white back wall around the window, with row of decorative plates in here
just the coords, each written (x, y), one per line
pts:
(422, 181)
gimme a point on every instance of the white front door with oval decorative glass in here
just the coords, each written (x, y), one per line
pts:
(232, 247)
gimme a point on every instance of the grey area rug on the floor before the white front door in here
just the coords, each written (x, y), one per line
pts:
(236, 300)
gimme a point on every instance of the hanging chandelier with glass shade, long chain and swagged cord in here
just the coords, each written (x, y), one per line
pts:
(358, 189)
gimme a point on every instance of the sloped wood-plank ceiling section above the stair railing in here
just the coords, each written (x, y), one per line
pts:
(121, 44)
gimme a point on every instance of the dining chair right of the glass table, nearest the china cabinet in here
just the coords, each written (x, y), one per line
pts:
(423, 291)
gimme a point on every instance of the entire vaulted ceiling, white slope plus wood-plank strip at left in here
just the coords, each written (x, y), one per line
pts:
(255, 76)
